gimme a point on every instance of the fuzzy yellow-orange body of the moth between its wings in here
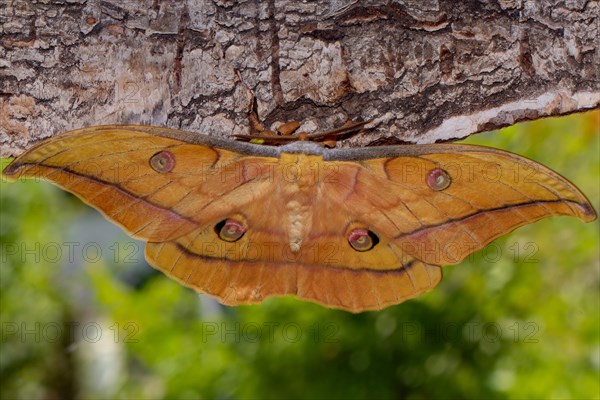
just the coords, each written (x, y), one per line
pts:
(300, 185)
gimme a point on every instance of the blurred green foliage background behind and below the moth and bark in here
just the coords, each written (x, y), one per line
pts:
(517, 320)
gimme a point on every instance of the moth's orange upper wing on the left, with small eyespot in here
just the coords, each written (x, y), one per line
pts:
(109, 168)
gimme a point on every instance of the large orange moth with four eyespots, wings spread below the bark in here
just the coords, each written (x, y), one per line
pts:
(355, 229)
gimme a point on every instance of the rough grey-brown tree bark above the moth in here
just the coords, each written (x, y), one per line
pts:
(424, 71)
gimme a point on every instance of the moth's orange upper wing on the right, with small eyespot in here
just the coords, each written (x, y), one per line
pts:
(491, 193)
